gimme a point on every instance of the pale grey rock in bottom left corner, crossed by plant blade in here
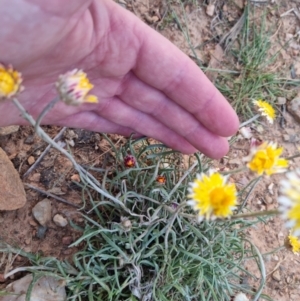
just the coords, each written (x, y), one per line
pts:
(46, 288)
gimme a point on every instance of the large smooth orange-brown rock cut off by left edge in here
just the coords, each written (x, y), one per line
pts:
(12, 194)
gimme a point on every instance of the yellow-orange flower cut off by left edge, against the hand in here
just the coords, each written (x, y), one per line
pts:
(10, 82)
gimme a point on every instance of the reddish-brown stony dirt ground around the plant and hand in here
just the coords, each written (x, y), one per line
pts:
(56, 175)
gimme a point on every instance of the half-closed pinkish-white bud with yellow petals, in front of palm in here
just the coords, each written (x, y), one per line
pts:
(73, 88)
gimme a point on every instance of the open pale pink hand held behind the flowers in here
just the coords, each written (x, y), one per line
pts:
(145, 84)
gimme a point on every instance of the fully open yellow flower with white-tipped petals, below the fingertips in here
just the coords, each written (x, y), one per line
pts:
(211, 196)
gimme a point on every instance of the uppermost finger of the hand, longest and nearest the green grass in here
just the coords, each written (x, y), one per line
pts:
(162, 65)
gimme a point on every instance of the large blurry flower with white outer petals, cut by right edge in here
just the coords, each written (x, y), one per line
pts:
(289, 201)
